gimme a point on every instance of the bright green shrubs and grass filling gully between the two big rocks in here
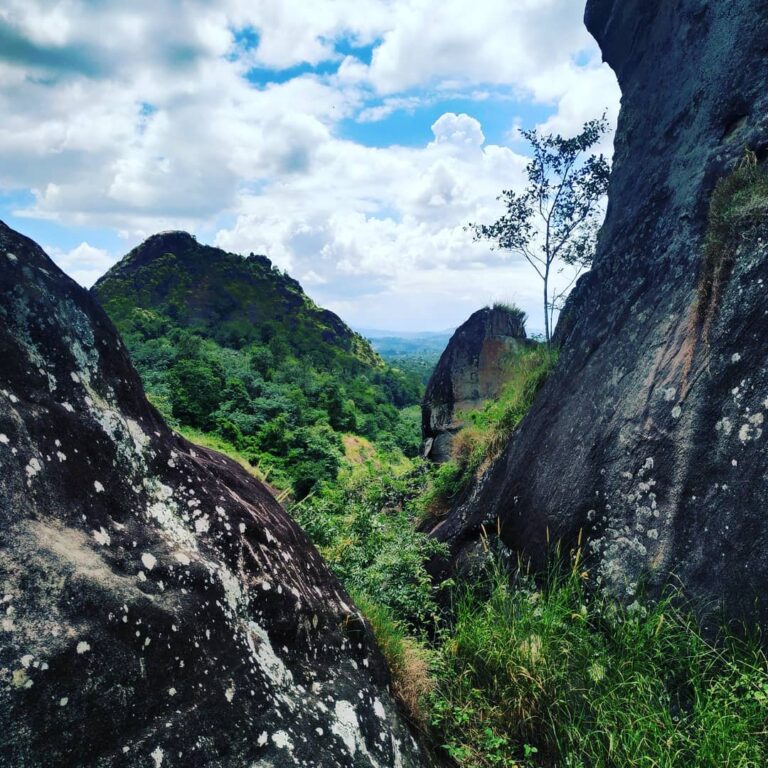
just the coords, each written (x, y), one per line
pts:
(521, 670)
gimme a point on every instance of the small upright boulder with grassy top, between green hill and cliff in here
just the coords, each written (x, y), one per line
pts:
(470, 371)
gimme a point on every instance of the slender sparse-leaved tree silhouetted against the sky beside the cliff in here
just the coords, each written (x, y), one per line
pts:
(554, 221)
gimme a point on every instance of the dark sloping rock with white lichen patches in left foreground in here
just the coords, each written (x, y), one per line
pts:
(157, 606)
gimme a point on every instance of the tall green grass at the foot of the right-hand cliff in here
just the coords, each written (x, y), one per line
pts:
(552, 673)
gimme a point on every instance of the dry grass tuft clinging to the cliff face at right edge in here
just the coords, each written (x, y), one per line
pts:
(739, 203)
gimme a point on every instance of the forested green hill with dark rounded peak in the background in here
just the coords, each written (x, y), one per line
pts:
(231, 346)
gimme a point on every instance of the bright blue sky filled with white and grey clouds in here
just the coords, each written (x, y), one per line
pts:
(351, 141)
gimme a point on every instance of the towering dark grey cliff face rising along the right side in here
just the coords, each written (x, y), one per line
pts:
(649, 436)
